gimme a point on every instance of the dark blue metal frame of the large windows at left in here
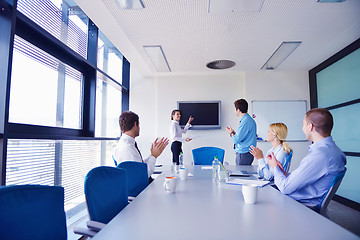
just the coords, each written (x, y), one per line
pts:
(13, 22)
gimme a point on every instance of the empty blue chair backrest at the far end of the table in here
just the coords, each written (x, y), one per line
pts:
(205, 155)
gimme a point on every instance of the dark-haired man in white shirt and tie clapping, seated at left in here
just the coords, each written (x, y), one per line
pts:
(127, 149)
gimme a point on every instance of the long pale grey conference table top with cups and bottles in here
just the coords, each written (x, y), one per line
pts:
(201, 209)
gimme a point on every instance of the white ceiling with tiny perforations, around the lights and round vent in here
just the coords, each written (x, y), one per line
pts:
(191, 37)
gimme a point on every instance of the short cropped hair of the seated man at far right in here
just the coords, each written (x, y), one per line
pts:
(322, 119)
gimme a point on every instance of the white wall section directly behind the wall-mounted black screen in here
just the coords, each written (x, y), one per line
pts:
(203, 88)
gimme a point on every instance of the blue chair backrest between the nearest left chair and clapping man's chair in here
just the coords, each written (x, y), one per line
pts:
(106, 192)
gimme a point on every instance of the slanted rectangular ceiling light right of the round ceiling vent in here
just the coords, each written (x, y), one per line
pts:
(280, 54)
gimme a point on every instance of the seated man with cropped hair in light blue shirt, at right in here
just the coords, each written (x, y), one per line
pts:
(310, 181)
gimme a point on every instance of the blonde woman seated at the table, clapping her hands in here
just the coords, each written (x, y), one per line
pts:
(276, 135)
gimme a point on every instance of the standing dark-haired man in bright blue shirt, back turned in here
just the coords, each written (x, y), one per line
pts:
(245, 135)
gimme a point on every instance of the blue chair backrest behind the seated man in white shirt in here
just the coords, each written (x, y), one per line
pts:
(137, 176)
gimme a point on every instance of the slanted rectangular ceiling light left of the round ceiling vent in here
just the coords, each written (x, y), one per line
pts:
(157, 57)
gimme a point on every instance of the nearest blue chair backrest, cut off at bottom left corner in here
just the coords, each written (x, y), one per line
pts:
(32, 212)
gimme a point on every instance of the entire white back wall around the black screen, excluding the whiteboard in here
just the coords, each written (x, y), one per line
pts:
(154, 99)
